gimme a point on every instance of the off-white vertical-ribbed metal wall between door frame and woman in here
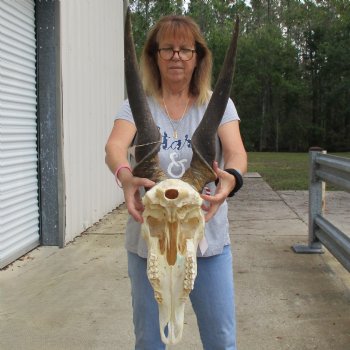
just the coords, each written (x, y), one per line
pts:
(93, 89)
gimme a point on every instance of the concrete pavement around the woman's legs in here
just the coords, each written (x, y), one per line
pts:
(79, 297)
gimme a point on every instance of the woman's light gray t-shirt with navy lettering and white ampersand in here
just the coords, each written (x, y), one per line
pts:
(175, 156)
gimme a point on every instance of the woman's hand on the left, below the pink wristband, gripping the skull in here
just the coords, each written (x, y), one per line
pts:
(131, 187)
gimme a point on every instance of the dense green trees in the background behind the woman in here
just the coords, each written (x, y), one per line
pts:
(292, 80)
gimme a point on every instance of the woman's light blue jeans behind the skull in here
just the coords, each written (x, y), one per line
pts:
(212, 300)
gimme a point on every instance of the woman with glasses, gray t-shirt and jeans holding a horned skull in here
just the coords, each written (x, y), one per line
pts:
(176, 69)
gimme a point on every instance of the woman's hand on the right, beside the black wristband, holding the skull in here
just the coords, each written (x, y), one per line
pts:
(226, 183)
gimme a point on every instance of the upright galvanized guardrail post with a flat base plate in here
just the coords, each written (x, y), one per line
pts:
(315, 206)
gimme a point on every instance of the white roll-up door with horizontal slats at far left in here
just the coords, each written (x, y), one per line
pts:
(19, 230)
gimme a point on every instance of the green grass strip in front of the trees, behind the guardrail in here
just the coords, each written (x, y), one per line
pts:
(284, 171)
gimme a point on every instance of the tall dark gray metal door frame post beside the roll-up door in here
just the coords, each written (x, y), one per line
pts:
(50, 125)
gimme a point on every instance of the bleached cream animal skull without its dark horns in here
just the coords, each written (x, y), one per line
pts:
(173, 226)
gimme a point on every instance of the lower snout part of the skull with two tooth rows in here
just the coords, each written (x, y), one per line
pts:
(172, 286)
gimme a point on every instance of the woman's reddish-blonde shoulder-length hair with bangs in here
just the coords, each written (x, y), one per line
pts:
(182, 26)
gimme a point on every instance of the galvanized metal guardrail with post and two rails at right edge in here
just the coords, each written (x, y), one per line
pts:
(336, 170)
